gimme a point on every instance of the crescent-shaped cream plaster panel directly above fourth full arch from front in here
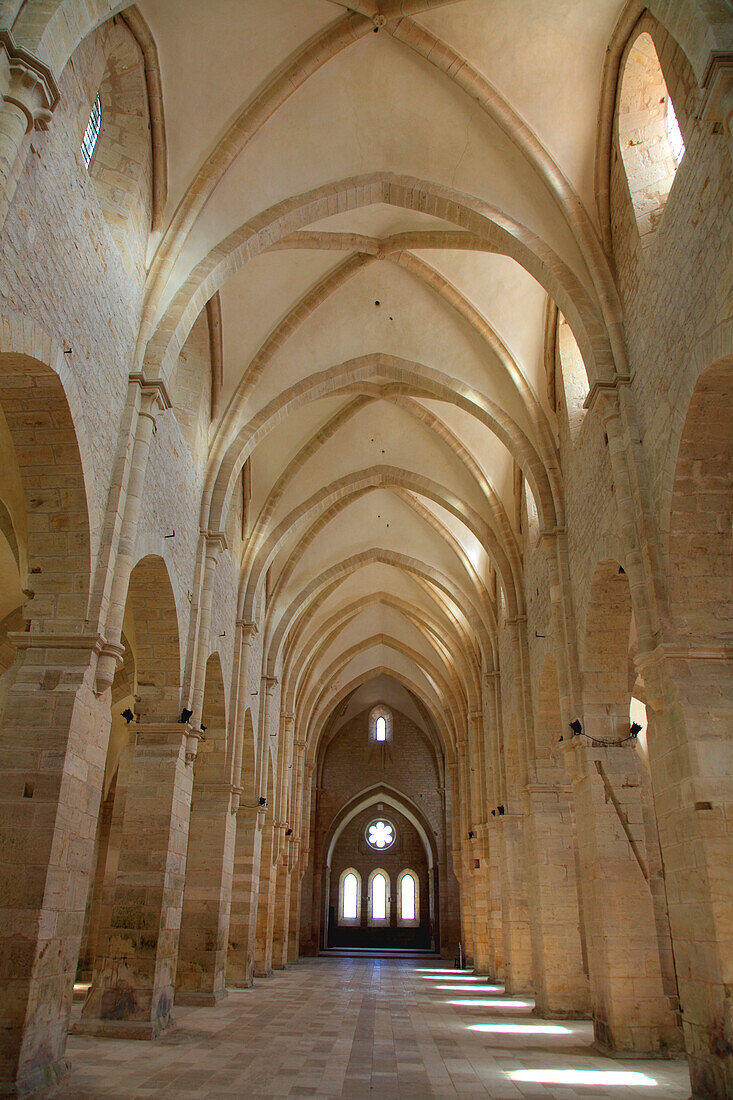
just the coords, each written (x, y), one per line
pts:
(379, 520)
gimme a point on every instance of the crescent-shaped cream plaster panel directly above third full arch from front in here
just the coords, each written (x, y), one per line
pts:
(382, 434)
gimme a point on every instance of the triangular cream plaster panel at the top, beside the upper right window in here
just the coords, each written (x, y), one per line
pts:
(530, 51)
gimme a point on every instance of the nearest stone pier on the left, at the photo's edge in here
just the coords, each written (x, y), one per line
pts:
(53, 747)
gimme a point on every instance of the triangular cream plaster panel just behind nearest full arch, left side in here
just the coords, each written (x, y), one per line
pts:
(258, 298)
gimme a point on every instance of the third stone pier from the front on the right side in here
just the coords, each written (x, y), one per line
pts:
(557, 959)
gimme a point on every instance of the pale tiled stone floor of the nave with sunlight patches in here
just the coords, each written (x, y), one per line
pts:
(367, 1028)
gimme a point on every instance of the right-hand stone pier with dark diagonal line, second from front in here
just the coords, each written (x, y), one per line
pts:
(631, 1010)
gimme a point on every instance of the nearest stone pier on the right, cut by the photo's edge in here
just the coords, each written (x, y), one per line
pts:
(691, 713)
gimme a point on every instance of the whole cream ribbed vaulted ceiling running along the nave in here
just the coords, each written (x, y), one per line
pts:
(384, 195)
